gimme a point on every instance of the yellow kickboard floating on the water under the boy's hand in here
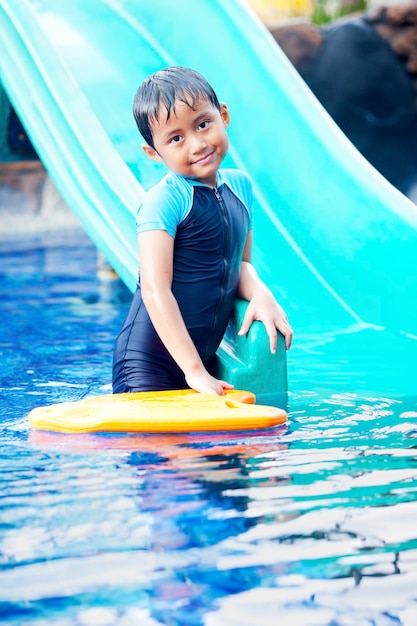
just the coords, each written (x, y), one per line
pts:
(157, 412)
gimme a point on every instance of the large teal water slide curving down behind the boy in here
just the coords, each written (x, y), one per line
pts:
(334, 240)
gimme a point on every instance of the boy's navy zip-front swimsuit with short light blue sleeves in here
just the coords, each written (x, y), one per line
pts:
(209, 227)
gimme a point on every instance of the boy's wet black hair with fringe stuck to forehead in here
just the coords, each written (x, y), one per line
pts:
(164, 88)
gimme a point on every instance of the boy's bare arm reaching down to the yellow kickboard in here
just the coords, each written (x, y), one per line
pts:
(156, 249)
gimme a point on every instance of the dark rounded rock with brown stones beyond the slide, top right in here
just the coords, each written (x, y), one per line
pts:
(364, 71)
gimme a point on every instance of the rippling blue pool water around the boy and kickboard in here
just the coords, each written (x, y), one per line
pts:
(309, 524)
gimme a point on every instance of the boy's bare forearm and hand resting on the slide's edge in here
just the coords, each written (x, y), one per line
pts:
(262, 304)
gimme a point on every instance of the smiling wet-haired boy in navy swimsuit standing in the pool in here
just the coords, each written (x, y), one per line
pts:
(195, 239)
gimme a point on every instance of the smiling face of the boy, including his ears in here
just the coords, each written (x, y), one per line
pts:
(193, 141)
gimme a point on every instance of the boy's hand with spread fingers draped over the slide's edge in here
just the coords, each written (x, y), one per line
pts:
(264, 308)
